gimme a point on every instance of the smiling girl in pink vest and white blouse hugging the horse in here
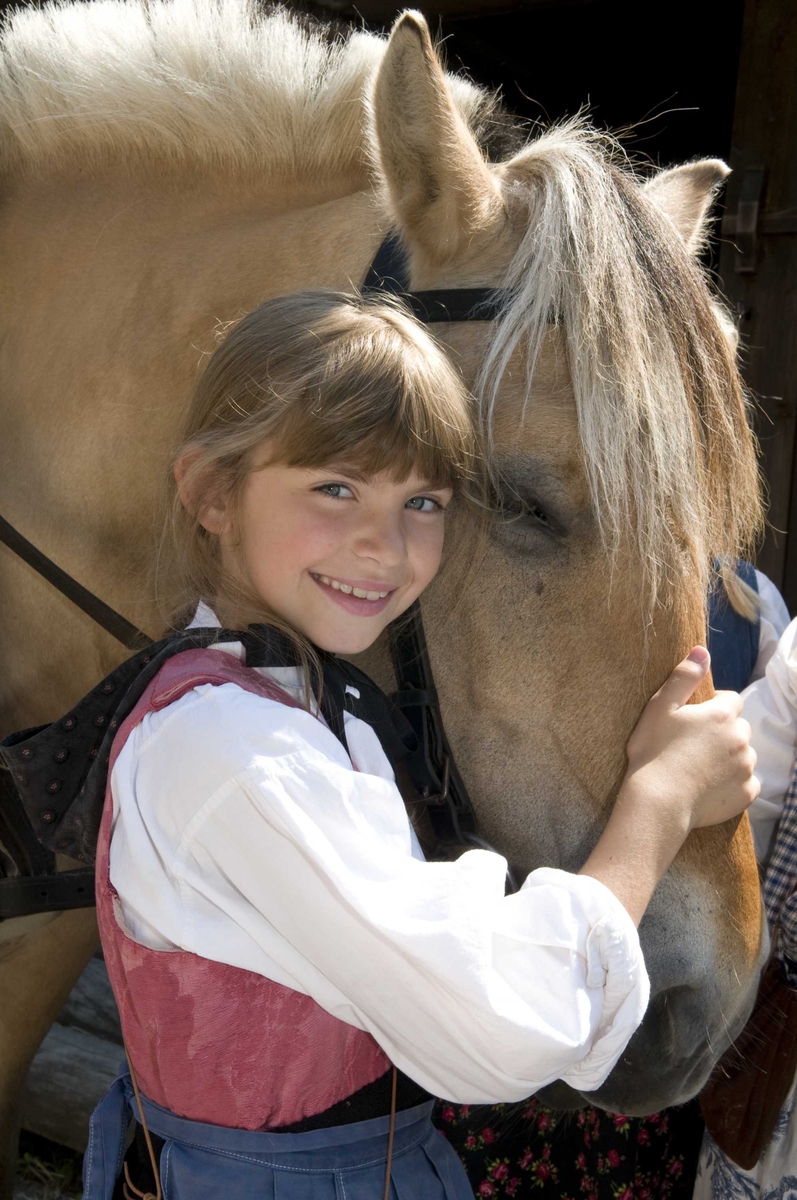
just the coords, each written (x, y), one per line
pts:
(295, 980)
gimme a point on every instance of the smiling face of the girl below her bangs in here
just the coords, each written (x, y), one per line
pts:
(335, 555)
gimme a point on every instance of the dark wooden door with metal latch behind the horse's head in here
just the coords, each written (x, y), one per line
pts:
(766, 302)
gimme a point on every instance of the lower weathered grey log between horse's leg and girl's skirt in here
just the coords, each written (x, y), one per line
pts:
(69, 1077)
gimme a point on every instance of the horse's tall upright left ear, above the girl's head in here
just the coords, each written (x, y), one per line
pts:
(440, 185)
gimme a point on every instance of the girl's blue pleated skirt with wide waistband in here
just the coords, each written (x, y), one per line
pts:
(205, 1162)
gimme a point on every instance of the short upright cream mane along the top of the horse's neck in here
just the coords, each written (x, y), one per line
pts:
(208, 83)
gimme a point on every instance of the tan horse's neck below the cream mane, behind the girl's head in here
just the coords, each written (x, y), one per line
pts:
(111, 301)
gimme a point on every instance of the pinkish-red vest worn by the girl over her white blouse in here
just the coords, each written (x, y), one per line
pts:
(212, 1042)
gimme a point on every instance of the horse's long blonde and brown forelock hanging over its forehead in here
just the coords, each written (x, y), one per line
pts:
(663, 415)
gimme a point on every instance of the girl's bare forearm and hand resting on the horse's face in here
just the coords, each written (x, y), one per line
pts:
(688, 766)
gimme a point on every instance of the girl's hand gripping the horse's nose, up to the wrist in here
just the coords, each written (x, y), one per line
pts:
(694, 761)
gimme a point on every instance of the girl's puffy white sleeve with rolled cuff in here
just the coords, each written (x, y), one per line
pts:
(298, 867)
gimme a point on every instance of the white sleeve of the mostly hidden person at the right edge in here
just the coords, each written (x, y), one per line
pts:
(771, 709)
